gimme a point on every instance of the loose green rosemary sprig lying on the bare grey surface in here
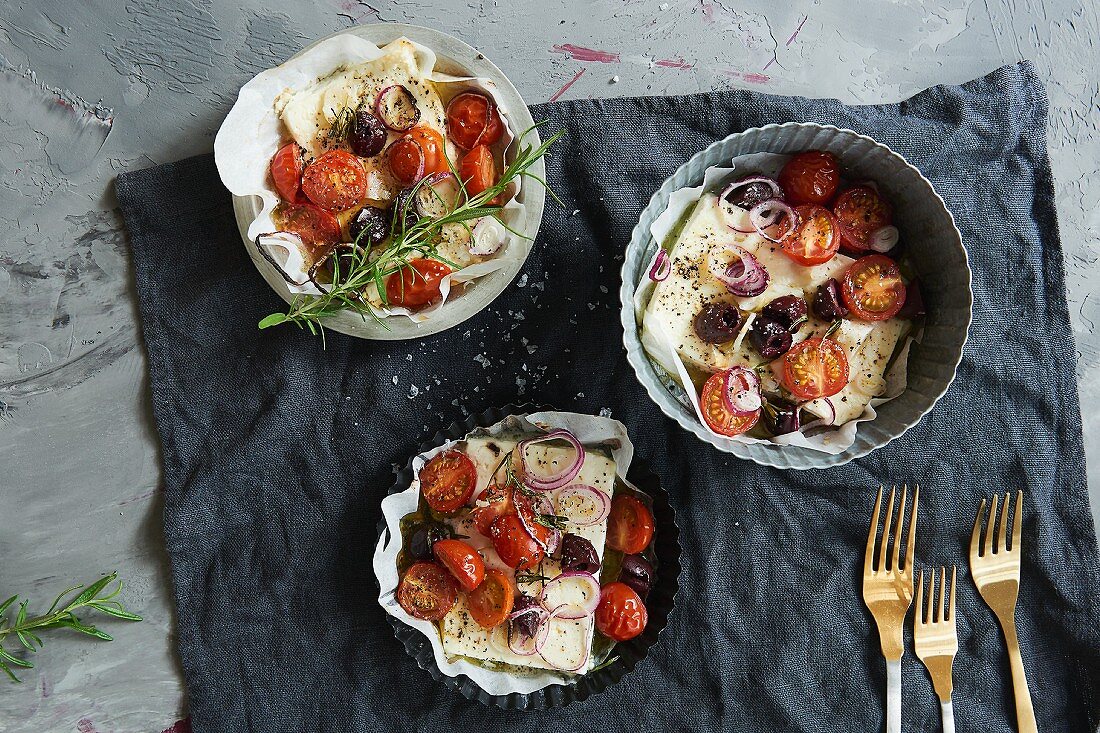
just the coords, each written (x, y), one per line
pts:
(26, 629)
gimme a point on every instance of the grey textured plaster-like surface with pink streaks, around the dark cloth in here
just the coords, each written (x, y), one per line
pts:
(89, 90)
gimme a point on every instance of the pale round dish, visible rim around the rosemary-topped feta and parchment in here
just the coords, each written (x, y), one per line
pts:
(456, 58)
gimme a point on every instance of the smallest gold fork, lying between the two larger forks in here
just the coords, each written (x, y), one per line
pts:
(934, 639)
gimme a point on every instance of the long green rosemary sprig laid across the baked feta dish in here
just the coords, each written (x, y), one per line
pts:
(353, 273)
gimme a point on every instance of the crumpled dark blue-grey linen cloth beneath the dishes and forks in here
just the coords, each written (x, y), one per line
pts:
(278, 452)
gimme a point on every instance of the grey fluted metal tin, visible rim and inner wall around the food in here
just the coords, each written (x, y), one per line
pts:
(934, 247)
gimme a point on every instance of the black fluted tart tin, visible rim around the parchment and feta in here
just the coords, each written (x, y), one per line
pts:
(659, 604)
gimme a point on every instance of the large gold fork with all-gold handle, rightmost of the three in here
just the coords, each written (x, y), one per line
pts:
(997, 574)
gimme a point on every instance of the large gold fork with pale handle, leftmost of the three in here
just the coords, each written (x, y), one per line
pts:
(888, 592)
